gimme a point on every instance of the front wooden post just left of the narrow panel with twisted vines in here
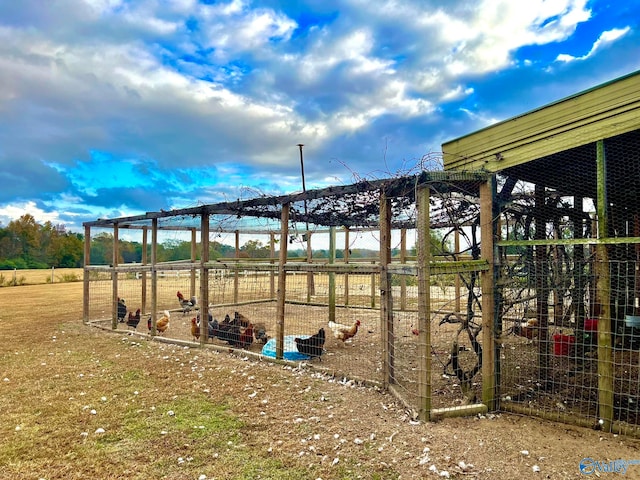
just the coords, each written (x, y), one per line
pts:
(424, 303)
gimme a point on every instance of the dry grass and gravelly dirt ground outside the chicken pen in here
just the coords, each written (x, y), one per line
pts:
(77, 402)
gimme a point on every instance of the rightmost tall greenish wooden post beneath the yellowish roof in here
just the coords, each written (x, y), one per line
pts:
(603, 282)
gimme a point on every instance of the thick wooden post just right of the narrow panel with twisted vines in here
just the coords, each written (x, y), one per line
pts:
(490, 355)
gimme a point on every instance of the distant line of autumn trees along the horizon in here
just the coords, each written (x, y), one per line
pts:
(24, 243)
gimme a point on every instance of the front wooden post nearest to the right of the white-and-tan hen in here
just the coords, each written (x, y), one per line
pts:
(386, 299)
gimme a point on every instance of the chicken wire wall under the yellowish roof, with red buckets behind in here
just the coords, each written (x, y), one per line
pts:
(566, 266)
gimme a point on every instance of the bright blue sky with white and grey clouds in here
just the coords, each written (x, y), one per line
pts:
(117, 107)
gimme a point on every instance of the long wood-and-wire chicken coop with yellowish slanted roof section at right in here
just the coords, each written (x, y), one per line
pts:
(510, 281)
